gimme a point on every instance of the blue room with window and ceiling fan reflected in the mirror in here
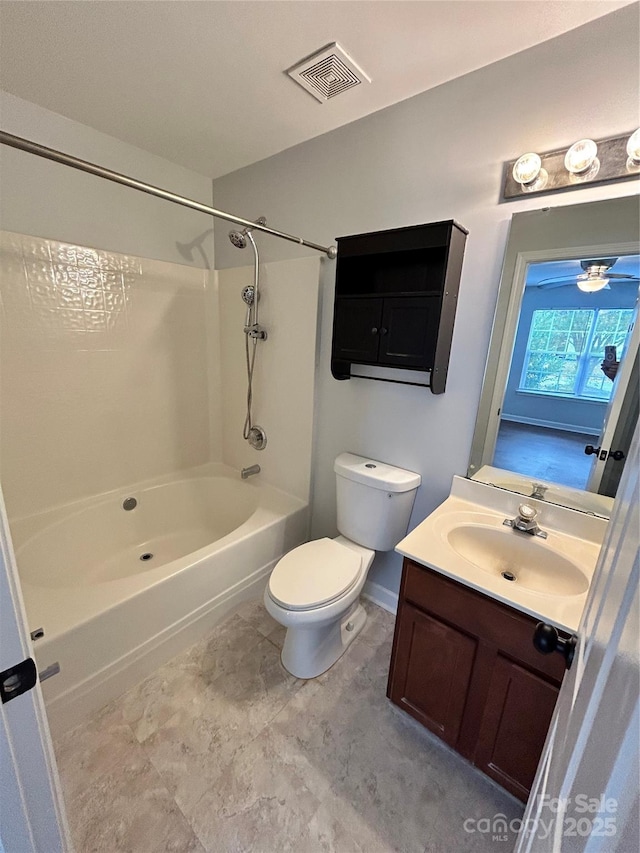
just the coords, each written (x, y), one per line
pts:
(574, 332)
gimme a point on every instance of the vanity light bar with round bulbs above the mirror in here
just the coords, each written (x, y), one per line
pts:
(587, 161)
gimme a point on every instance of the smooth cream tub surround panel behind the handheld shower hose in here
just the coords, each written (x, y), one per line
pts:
(283, 397)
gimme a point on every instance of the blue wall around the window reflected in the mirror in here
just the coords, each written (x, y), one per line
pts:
(585, 415)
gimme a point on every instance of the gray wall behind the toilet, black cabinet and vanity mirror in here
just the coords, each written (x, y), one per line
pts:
(436, 156)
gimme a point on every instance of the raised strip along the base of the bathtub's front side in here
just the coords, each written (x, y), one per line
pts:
(79, 702)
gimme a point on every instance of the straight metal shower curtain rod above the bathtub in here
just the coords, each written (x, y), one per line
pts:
(93, 169)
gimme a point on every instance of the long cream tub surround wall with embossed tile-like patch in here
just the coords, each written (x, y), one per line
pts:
(104, 371)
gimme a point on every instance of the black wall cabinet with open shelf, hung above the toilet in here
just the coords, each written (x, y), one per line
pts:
(395, 300)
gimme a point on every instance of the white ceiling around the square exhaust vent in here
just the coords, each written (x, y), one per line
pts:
(202, 82)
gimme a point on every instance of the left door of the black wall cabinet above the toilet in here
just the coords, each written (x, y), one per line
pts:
(356, 329)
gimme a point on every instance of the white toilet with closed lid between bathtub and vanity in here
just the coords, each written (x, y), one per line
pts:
(314, 590)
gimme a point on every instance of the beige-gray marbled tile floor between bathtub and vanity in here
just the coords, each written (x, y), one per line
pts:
(221, 750)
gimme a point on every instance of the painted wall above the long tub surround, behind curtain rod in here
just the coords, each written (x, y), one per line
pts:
(46, 199)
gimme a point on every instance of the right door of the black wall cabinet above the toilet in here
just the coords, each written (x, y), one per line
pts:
(409, 331)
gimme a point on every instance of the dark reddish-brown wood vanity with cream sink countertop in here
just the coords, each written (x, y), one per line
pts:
(463, 662)
